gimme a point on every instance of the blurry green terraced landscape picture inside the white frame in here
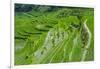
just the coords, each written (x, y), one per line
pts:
(53, 34)
